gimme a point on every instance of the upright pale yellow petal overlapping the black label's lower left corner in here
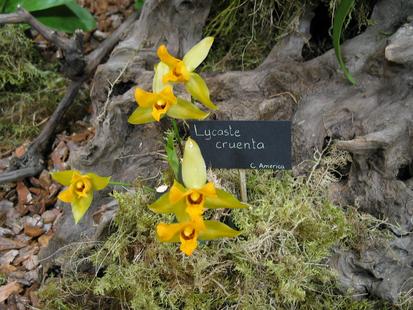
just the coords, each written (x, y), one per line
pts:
(193, 166)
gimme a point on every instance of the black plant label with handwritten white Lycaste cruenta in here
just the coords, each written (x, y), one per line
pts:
(244, 144)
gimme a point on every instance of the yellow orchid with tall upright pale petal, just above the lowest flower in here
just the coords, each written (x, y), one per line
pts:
(188, 201)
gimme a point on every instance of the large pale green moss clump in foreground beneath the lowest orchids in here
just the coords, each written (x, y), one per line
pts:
(279, 261)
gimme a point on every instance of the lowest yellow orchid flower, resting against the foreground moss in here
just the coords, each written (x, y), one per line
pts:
(189, 232)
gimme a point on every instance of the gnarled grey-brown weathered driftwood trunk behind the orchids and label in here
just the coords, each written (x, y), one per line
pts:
(372, 120)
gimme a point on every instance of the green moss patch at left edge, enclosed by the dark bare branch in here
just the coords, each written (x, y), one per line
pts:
(29, 87)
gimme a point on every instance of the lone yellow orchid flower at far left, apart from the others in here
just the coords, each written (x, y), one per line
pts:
(80, 189)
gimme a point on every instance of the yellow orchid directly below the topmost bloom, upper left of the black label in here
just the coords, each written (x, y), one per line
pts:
(154, 106)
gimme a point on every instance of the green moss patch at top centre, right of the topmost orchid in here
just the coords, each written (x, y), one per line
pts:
(245, 31)
